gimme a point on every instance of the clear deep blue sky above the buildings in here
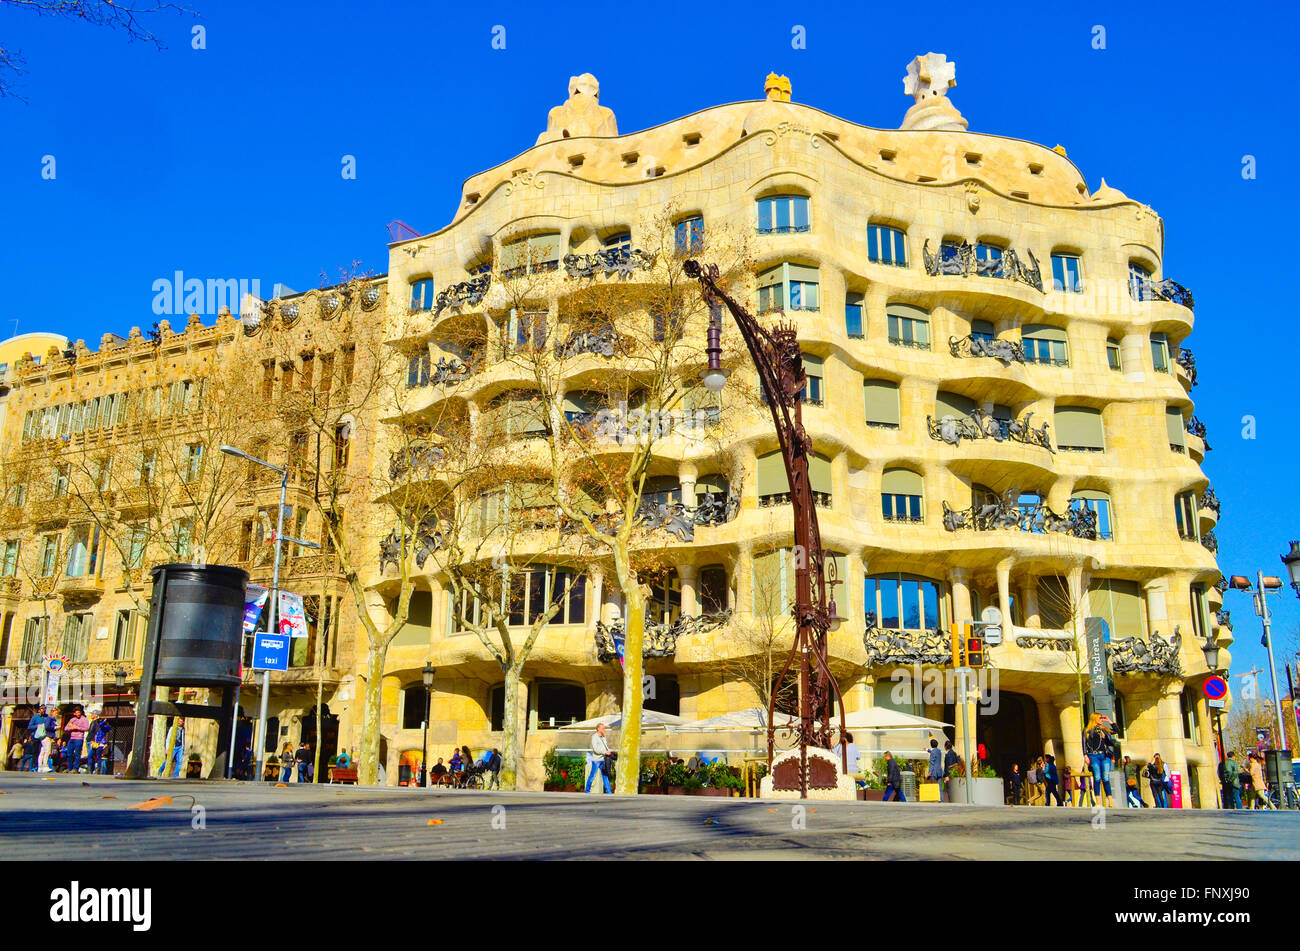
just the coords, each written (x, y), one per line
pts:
(226, 162)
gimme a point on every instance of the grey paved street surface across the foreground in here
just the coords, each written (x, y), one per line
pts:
(70, 818)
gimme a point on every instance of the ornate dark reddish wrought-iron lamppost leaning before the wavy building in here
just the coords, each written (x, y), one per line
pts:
(781, 370)
